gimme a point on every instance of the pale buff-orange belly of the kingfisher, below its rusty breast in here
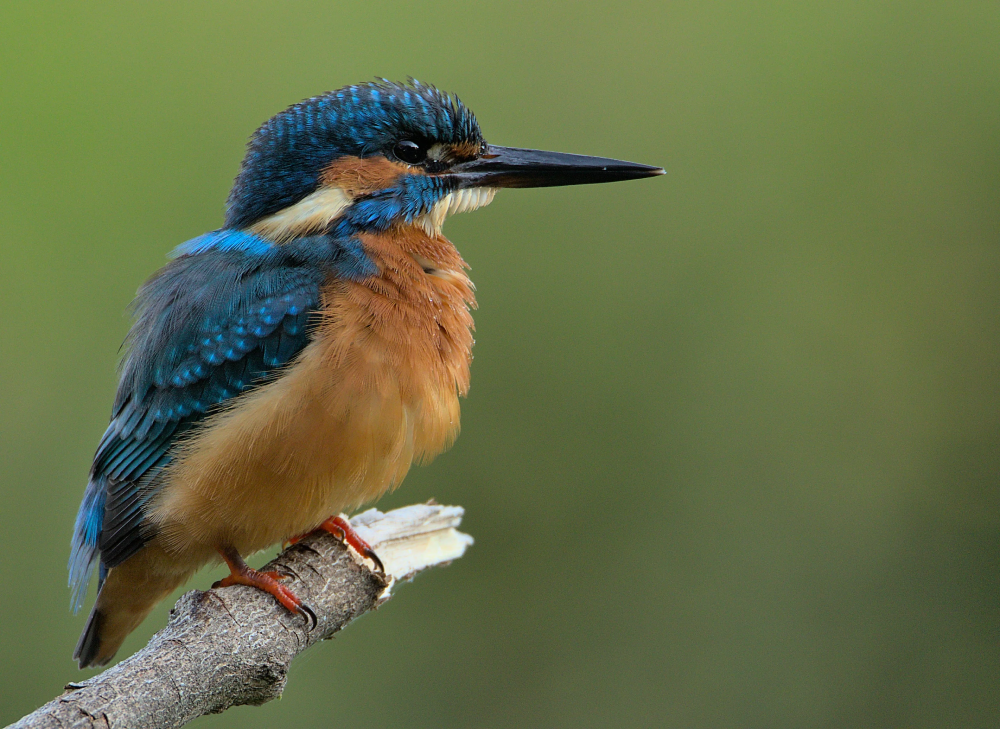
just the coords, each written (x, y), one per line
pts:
(340, 427)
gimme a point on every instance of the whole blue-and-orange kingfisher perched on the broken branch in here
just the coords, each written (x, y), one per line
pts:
(292, 365)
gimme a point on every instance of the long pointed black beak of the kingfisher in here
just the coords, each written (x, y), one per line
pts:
(513, 167)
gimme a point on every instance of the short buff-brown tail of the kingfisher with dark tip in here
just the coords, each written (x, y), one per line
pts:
(130, 591)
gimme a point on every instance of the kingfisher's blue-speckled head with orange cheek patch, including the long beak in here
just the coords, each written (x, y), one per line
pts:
(381, 154)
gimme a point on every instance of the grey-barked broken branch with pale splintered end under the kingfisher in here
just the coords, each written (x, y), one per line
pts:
(233, 646)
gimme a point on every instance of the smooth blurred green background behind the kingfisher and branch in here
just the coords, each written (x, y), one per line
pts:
(732, 451)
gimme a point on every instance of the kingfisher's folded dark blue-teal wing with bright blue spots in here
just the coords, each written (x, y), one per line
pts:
(209, 326)
